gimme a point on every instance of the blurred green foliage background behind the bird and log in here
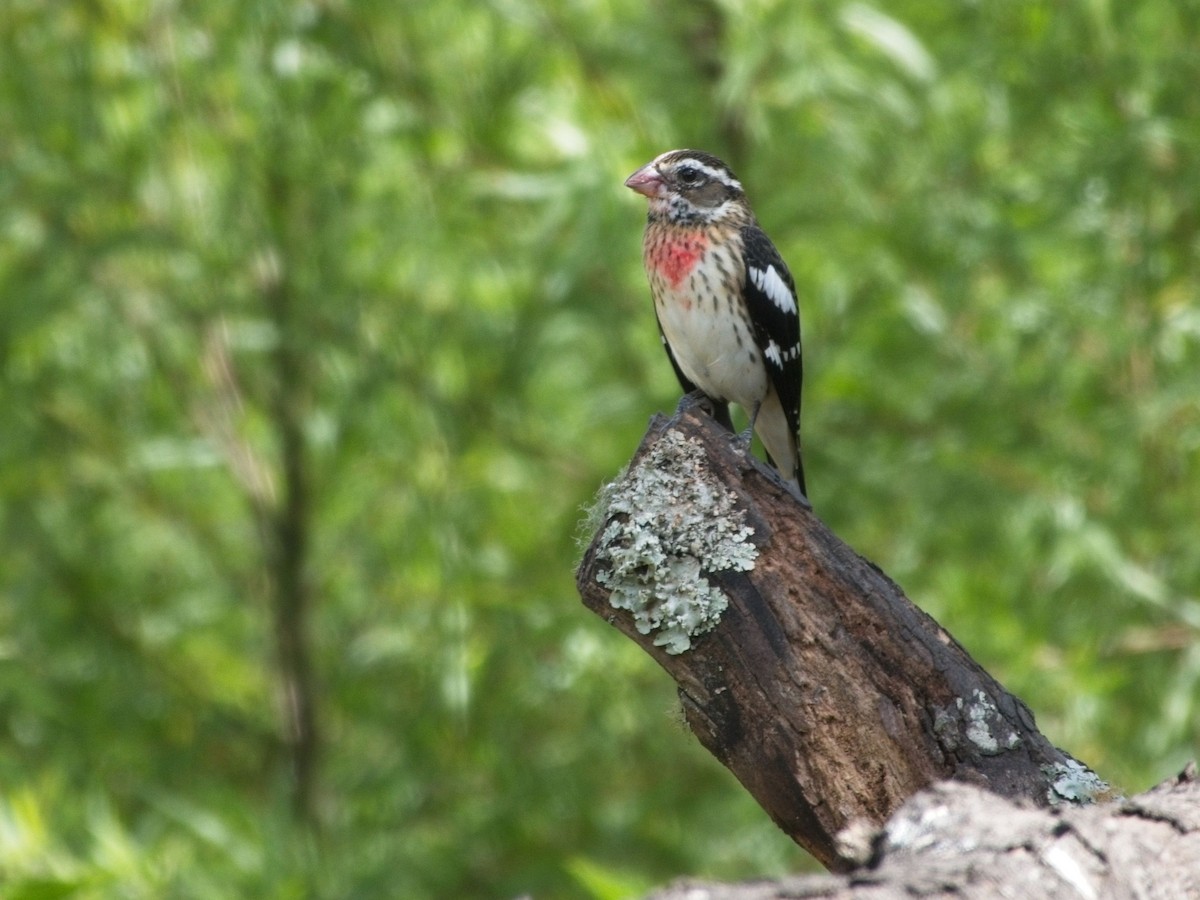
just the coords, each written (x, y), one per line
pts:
(322, 322)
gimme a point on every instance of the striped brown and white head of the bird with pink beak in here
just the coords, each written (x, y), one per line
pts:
(688, 187)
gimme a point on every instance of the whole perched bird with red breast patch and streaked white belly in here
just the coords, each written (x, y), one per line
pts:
(724, 299)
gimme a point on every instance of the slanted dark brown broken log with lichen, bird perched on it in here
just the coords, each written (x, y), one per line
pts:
(800, 665)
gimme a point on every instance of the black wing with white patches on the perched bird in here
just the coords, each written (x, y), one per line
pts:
(771, 303)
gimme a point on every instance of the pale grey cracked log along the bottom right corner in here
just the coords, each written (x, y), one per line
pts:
(959, 842)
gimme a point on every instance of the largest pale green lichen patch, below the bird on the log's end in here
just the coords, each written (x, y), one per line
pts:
(670, 525)
